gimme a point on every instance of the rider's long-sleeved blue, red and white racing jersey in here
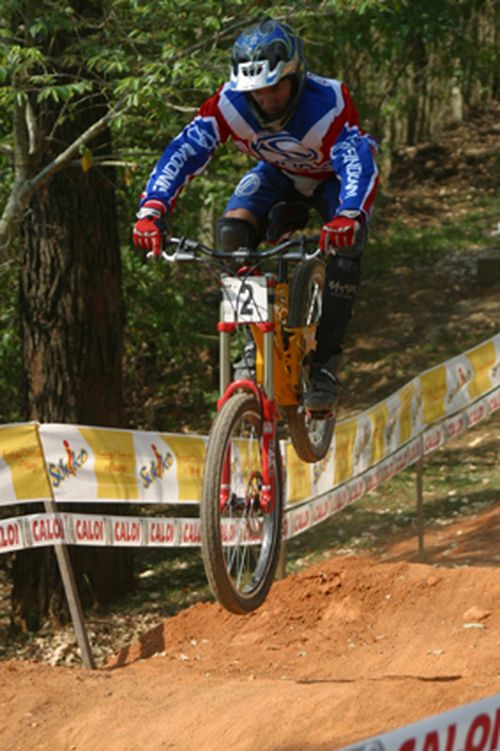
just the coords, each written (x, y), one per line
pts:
(322, 139)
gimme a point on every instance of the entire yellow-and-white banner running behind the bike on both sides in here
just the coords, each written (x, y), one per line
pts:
(80, 464)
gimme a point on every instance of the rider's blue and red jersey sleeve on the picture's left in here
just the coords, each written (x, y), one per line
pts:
(187, 154)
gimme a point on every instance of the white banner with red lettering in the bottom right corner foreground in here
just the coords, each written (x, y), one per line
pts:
(472, 727)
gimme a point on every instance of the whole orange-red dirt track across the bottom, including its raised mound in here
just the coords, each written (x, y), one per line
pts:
(351, 647)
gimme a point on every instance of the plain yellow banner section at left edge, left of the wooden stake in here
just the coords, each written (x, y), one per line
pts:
(22, 469)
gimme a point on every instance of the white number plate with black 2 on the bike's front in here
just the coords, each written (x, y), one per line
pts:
(245, 300)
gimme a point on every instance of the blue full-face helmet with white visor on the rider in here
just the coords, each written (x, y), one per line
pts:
(263, 55)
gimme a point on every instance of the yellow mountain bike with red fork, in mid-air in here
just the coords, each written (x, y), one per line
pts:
(241, 507)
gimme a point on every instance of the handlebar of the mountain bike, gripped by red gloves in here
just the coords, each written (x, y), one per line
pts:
(294, 249)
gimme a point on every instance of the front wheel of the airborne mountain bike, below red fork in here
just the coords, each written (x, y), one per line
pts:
(240, 543)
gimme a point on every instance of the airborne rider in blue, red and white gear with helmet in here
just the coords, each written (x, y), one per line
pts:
(304, 132)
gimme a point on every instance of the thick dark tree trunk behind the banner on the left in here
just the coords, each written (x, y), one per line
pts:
(72, 333)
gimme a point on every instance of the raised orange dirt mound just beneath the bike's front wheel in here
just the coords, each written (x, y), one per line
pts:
(342, 619)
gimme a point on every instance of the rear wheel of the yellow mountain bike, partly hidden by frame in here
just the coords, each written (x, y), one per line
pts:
(311, 437)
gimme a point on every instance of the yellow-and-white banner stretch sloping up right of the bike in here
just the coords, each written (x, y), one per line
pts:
(440, 403)
